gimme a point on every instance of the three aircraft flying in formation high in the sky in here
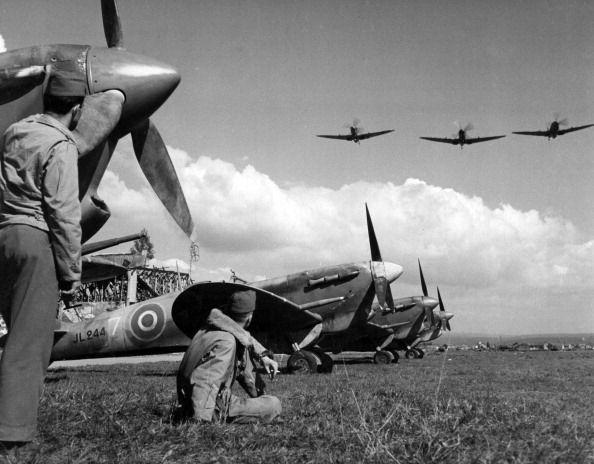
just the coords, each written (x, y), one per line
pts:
(461, 136)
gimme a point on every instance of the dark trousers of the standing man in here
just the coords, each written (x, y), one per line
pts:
(28, 304)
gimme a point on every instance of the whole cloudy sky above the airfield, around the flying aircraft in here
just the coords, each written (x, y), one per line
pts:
(505, 228)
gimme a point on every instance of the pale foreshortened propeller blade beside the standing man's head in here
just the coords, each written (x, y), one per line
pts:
(100, 113)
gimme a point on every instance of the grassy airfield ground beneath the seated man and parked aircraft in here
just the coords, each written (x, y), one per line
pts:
(460, 407)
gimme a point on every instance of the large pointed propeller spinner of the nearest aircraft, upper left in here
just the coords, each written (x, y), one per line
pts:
(145, 82)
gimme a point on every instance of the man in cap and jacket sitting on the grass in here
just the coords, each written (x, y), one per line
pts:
(220, 352)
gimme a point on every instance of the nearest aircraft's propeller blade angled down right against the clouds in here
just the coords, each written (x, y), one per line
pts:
(157, 167)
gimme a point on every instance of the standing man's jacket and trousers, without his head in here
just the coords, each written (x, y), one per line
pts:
(40, 245)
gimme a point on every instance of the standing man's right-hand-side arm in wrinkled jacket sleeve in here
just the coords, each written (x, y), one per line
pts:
(62, 211)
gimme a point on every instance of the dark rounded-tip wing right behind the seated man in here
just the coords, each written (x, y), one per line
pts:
(274, 314)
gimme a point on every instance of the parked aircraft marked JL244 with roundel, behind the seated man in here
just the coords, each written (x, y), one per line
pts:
(294, 311)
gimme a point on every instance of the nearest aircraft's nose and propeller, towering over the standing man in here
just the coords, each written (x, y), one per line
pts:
(106, 116)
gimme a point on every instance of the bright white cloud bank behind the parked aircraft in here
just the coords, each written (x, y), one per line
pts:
(249, 223)
